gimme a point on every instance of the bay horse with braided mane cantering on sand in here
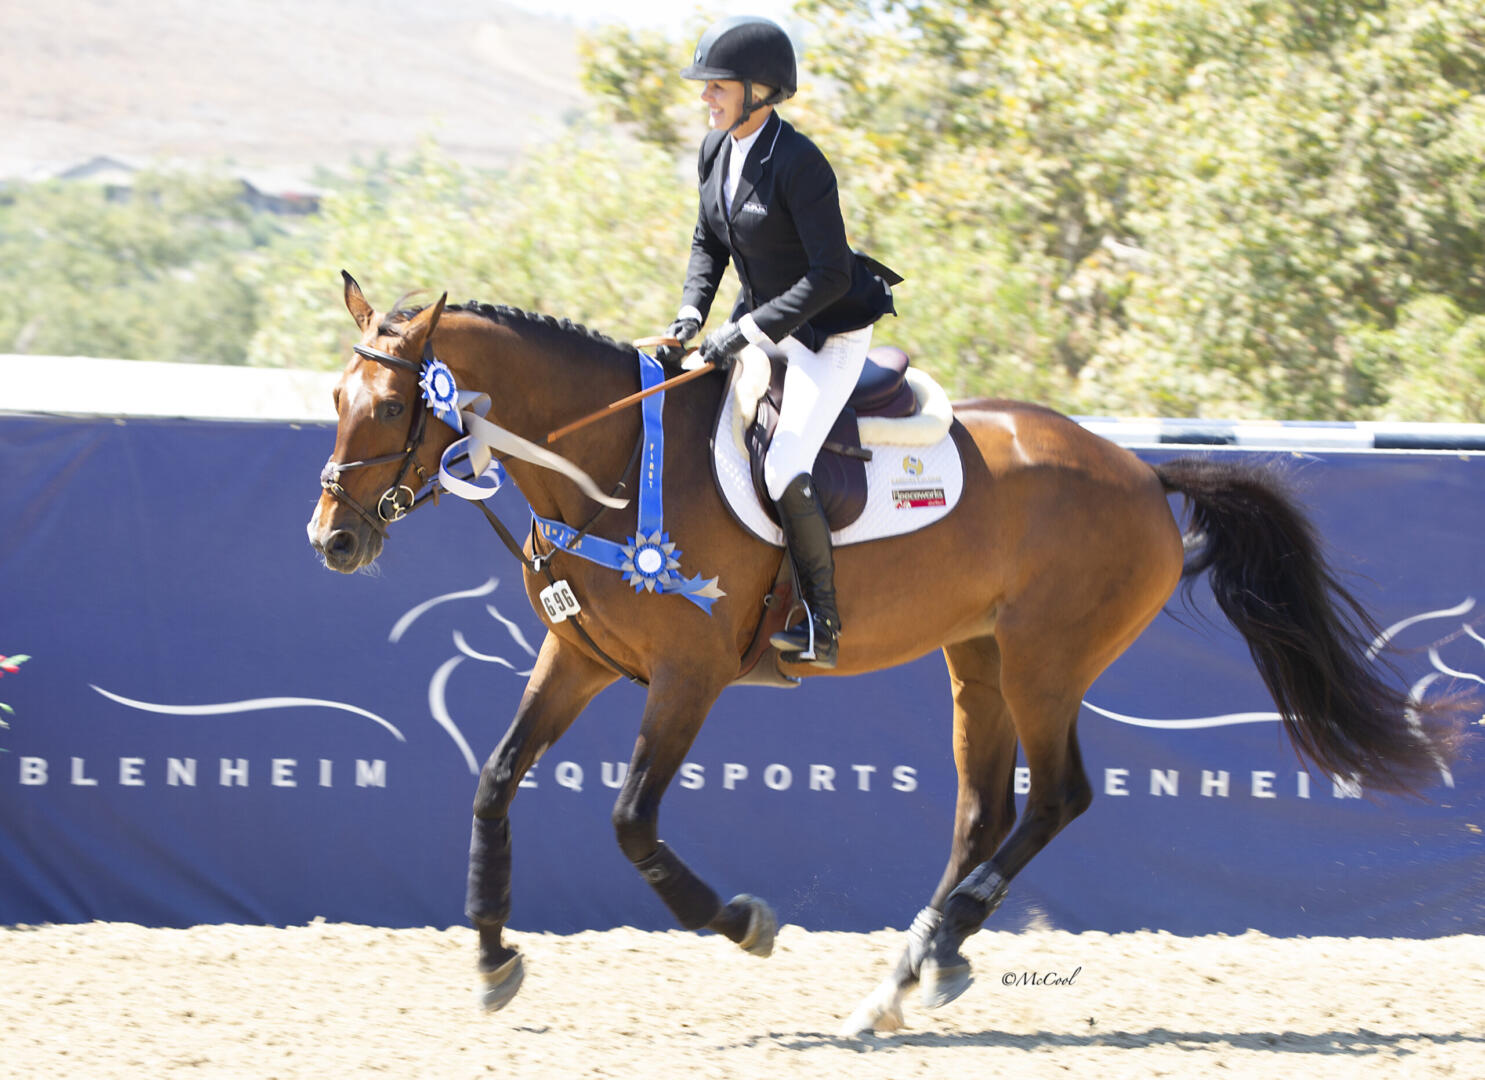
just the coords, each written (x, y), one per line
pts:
(1063, 550)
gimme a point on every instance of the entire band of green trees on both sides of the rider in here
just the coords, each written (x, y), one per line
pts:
(1140, 207)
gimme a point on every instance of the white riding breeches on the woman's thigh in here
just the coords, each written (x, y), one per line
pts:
(816, 390)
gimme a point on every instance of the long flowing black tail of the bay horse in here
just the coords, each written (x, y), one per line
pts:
(1313, 643)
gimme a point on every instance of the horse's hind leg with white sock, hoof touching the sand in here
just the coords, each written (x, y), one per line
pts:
(985, 810)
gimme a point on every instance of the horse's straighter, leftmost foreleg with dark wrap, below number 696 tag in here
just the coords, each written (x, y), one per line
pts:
(562, 684)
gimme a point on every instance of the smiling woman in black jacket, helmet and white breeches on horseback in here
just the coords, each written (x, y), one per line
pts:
(770, 203)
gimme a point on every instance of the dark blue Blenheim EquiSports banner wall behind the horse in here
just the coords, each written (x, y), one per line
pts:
(215, 729)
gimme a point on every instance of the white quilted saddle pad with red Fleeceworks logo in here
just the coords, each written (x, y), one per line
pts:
(914, 479)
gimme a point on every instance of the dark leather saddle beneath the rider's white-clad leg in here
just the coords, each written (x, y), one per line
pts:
(840, 472)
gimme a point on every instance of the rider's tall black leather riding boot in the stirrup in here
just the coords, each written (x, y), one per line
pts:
(807, 536)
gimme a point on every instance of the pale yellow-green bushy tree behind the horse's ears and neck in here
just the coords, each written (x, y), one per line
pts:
(593, 230)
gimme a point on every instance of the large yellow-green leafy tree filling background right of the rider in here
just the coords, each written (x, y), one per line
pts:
(1156, 206)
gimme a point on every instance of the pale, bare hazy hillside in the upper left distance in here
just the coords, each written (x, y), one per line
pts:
(277, 85)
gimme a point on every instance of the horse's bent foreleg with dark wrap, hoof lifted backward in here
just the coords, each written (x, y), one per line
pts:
(673, 715)
